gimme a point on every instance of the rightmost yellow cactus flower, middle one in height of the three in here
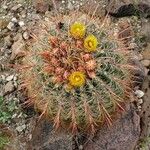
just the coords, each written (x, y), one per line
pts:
(90, 43)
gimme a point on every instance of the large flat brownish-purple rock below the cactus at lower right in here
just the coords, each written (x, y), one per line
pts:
(123, 135)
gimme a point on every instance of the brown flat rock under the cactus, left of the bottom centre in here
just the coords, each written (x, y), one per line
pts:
(44, 138)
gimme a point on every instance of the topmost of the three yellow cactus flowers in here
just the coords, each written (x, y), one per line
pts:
(77, 30)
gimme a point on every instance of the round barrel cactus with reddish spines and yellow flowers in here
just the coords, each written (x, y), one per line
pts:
(77, 71)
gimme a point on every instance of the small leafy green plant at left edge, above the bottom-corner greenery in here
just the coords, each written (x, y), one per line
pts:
(6, 110)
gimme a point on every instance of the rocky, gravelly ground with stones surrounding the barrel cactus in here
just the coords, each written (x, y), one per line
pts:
(21, 124)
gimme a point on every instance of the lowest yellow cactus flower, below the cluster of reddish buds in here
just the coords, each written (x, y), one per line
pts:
(77, 79)
